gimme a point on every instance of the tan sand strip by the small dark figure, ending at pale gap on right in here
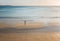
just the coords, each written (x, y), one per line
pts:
(19, 25)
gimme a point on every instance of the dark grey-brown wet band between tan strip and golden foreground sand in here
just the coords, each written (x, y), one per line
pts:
(29, 30)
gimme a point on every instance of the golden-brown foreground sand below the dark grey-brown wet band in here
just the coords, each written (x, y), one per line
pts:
(38, 36)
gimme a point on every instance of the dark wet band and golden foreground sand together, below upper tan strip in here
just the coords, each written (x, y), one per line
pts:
(30, 34)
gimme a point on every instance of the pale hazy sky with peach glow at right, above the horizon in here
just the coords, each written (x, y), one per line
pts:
(29, 2)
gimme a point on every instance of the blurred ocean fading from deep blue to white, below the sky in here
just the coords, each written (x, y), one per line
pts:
(34, 13)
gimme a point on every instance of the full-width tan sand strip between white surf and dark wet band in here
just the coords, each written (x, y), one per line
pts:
(28, 24)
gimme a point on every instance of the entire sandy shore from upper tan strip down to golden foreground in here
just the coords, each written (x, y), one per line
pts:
(29, 32)
